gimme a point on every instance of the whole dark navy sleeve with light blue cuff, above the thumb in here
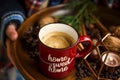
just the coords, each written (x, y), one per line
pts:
(10, 10)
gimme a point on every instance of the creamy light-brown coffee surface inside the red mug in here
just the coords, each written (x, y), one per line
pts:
(58, 40)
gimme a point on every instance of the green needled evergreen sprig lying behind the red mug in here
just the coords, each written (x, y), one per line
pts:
(84, 9)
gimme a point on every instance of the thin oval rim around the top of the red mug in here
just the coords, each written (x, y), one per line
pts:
(74, 44)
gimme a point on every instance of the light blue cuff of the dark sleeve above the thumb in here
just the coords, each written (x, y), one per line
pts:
(6, 18)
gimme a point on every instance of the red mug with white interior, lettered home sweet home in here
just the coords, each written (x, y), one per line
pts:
(60, 62)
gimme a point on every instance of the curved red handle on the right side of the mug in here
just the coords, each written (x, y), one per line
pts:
(85, 51)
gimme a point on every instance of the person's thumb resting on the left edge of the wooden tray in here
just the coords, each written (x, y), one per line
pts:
(11, 32)
